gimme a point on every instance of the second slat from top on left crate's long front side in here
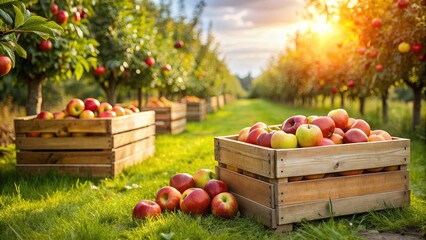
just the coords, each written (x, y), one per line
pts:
(64, 143)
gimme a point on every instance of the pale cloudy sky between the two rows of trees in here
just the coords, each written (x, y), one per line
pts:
(250, 32)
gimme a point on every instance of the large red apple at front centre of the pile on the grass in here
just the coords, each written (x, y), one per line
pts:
(195, 201)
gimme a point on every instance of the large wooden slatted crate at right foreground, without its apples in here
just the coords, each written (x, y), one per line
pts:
(263, 179)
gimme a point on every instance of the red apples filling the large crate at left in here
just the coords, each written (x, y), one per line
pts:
(88, 109)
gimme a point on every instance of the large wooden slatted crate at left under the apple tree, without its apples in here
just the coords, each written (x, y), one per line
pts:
(104, 148)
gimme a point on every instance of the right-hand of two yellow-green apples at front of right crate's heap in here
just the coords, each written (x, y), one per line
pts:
(308, 135)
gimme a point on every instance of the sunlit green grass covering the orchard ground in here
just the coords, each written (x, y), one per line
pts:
(51, 206)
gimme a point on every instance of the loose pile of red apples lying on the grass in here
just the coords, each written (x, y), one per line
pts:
(196, 195)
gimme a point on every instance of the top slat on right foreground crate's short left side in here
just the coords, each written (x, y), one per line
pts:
(246, 156)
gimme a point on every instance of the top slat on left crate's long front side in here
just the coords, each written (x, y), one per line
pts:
(30, 124)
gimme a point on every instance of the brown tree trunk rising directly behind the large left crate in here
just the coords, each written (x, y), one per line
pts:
(34, 97)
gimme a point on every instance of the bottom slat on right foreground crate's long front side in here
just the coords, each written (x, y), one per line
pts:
(342, 206)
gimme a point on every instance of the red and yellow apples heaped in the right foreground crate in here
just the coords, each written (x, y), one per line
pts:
(302, 131)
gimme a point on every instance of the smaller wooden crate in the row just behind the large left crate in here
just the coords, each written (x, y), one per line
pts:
(170, 120)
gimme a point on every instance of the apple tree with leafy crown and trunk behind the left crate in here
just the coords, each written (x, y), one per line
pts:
(68, 56)
